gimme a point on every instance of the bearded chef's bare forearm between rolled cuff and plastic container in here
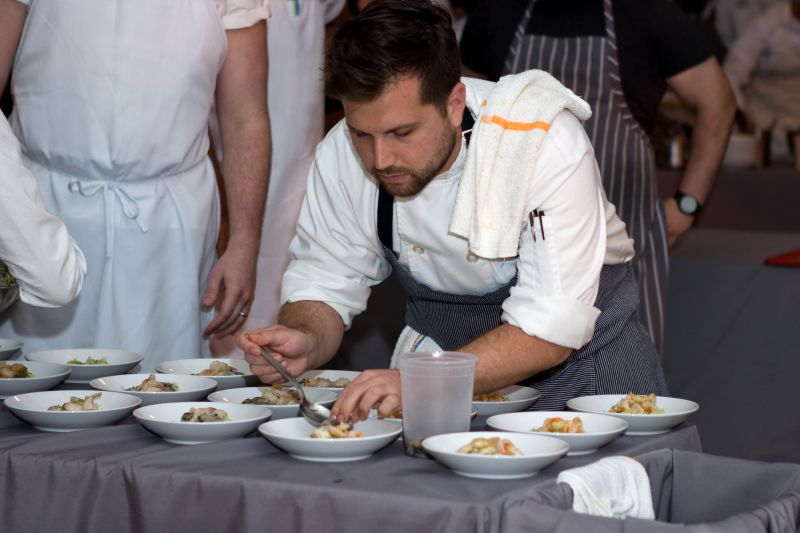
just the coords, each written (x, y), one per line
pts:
(508, 355)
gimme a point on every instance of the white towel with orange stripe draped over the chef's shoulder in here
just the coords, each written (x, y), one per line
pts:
(504, 147)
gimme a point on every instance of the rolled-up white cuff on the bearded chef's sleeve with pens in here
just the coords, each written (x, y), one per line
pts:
(555, 318)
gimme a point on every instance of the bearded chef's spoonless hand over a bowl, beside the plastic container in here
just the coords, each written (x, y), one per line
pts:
(373, 389)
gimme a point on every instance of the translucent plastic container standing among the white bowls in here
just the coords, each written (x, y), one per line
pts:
(437, 395)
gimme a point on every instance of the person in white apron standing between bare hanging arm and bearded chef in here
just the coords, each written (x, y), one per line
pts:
(296, 103)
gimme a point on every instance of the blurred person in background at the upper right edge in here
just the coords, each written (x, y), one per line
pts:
(763, 66)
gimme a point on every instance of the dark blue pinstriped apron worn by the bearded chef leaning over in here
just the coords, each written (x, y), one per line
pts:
(619, 358)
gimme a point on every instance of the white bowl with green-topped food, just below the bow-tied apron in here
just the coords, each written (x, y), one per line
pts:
(119, 361)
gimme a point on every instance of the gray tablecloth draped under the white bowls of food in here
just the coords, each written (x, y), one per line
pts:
(123, 478)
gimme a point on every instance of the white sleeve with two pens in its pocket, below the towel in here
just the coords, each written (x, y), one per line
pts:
(559, 271)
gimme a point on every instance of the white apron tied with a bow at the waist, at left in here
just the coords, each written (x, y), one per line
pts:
(112, 102)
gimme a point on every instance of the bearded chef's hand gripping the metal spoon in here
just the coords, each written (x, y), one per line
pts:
(290, 347)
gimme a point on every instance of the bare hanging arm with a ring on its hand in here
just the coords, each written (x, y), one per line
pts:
(244, 127)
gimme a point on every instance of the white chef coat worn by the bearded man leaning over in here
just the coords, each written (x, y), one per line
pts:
(337, 256)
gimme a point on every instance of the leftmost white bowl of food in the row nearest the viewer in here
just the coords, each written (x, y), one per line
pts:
(32, 408)
